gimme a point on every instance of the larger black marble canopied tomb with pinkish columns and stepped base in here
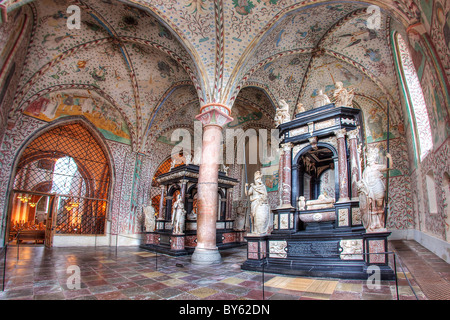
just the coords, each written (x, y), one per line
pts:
(317, 229)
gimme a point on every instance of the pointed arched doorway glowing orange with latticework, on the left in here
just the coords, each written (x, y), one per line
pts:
(61, 186)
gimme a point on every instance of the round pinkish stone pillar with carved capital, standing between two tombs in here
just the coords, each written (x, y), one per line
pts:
(214, 117)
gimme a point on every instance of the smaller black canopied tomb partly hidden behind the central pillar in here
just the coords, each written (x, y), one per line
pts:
(176, 226)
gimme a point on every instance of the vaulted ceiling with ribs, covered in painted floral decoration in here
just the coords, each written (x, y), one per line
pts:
(153, 63)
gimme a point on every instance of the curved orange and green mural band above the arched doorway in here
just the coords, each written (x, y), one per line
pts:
(73, 103)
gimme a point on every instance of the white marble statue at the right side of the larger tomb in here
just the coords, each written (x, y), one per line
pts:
(372, 193)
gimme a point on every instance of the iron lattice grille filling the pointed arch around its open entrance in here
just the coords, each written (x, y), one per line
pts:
(68, 163)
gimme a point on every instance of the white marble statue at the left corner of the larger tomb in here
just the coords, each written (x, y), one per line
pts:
(260, 215)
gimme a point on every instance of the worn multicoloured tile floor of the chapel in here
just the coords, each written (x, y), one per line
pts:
(132, 274)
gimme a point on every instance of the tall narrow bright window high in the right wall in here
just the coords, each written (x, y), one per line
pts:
(415, 100)
